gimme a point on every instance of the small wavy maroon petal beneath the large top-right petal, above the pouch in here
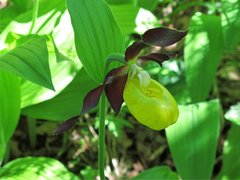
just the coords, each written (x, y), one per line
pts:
(159, 58)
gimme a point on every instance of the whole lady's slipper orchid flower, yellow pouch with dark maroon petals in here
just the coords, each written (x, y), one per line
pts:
(149, 102)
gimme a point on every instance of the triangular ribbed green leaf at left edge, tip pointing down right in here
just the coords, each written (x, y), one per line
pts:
(29, 61)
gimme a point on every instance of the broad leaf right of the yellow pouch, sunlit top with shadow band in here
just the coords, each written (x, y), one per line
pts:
(193, 139)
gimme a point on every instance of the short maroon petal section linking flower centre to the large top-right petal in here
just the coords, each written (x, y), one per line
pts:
(134, 49)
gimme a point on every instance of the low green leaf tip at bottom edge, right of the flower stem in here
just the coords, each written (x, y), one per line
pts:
(158, 172)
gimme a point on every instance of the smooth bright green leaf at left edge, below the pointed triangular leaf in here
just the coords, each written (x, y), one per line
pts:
(9, 108)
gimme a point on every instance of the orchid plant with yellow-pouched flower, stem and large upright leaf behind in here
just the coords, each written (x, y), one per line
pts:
(115, 80)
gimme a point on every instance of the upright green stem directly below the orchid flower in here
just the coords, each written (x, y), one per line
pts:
(101, 142)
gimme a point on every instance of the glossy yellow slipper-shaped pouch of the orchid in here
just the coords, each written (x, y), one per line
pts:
(152, 105)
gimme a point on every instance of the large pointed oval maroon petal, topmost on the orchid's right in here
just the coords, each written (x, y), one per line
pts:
(162, 36)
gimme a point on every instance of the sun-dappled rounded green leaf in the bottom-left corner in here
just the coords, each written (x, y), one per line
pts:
(36, 168)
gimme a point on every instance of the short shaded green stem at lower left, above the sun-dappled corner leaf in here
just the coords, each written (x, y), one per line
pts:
(32, 132)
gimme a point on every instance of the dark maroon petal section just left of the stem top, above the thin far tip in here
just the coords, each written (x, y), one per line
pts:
(92, 98)
